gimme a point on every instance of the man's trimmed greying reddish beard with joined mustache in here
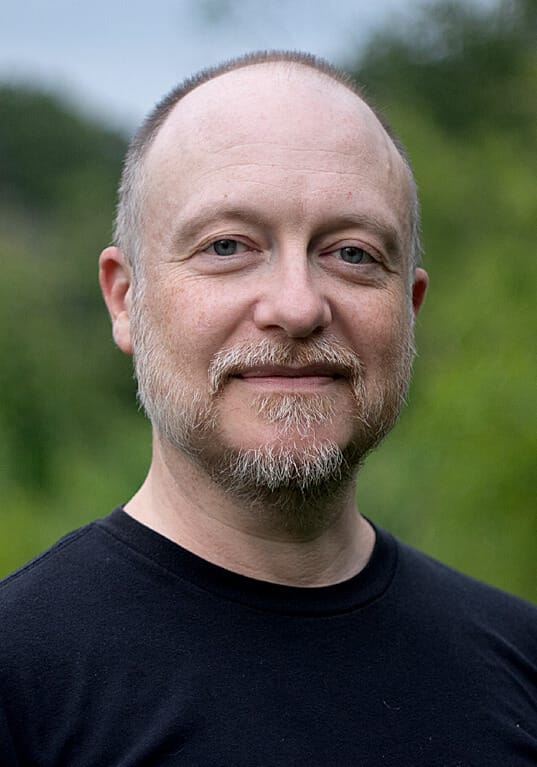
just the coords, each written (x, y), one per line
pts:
(299, 480)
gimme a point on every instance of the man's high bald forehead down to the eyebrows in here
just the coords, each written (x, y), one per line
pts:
(272, 125)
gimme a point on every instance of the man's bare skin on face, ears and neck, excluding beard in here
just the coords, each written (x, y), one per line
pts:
(294, 168)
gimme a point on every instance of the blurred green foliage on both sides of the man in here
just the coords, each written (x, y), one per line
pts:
(457, 477)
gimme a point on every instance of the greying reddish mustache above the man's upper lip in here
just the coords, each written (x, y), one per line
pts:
(327, 352)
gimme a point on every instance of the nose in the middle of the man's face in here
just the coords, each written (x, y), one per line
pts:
(292, 299)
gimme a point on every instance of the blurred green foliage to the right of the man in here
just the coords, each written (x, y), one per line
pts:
(457, 477)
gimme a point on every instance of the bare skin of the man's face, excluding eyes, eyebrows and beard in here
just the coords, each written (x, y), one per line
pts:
(296, 155)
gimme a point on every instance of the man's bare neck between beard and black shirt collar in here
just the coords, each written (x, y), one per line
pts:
(179, 501)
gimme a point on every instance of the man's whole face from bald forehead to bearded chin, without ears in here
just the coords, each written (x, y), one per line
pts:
(275, 318)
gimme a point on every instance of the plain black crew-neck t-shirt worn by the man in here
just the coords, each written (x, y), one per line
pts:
(118, 647)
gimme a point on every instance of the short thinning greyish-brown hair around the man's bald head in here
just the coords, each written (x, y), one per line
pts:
(129, 216)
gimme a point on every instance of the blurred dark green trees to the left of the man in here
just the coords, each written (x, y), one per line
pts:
(63, 386)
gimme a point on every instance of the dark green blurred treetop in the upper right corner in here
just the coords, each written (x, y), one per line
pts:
(468, 68)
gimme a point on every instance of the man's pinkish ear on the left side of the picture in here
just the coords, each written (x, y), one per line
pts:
(116, 281)
